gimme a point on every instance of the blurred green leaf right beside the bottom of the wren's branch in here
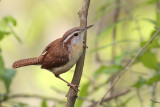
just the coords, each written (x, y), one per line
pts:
(82, 93)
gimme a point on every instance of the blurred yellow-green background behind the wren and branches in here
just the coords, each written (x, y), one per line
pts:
(121, 28)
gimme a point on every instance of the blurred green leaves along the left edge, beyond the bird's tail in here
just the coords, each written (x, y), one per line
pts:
(7, 74)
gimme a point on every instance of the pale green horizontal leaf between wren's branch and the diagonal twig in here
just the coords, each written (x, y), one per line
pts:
(109, 70)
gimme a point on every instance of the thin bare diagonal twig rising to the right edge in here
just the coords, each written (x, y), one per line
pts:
(129, 65)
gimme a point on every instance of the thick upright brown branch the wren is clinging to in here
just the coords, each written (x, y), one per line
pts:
(72, 95)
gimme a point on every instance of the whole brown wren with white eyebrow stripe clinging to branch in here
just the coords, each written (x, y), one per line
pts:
(60, 55)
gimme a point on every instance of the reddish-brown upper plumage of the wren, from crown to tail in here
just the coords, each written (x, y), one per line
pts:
(53, 55)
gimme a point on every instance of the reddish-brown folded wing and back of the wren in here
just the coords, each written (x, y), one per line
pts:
(55, 55)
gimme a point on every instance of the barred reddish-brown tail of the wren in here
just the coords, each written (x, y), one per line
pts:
(26, 62)
